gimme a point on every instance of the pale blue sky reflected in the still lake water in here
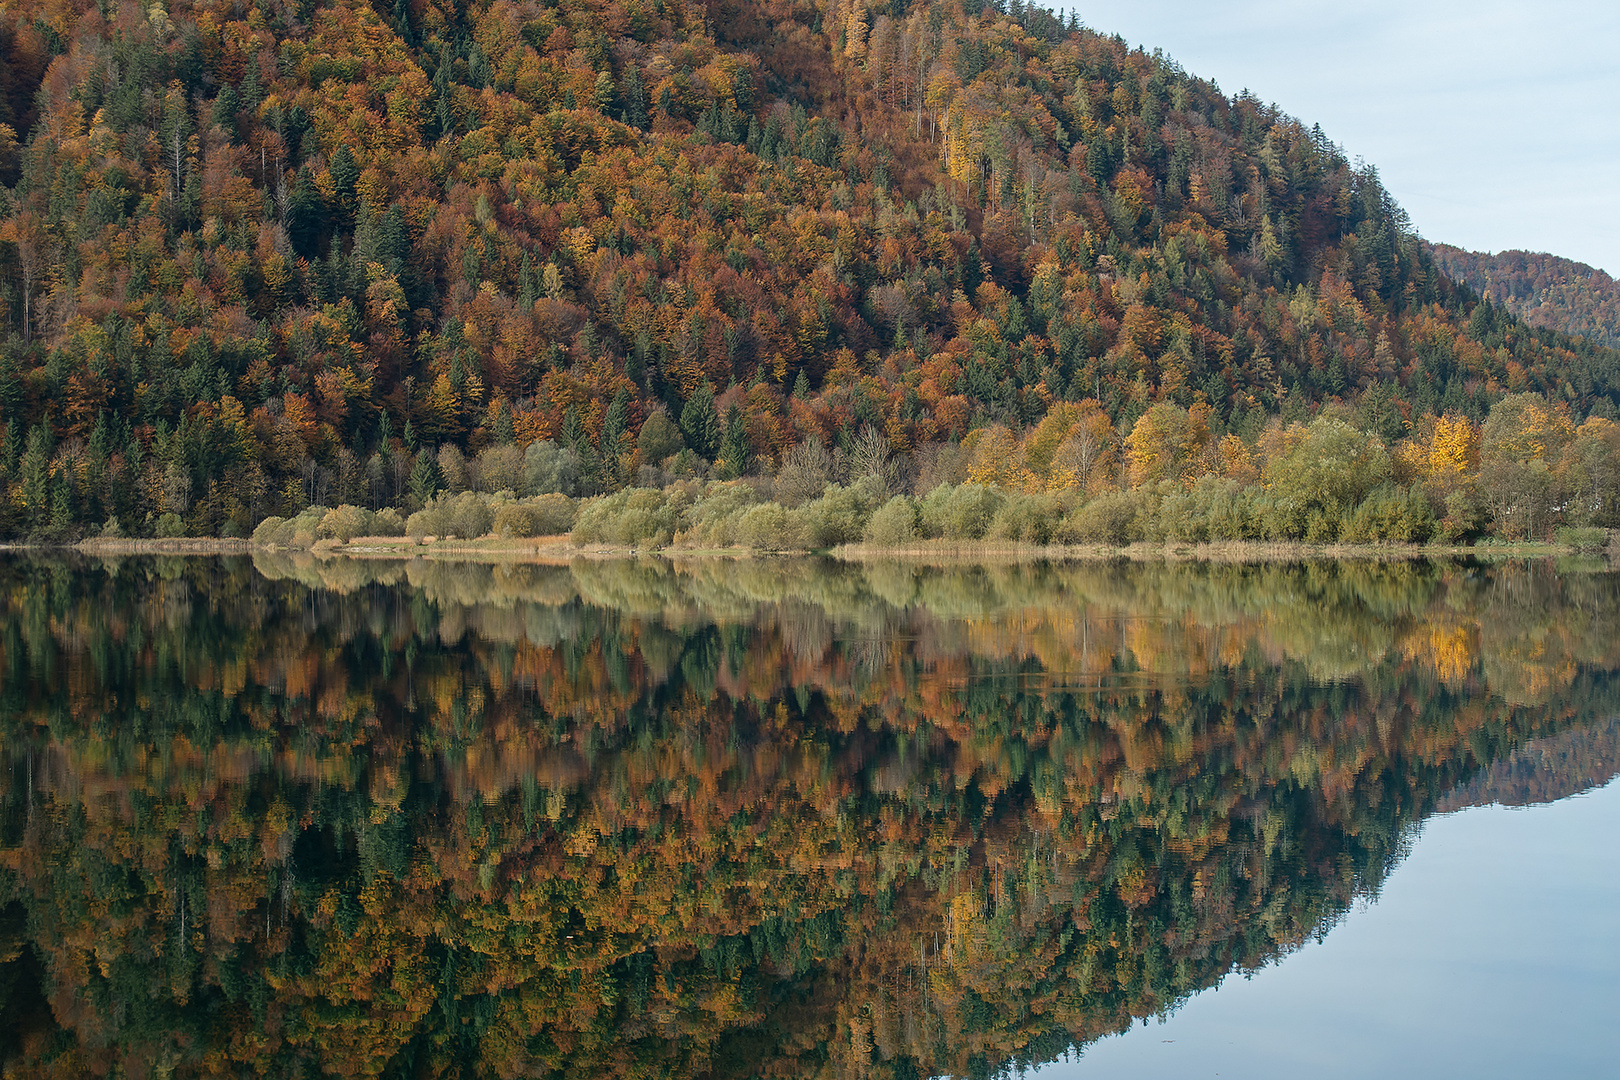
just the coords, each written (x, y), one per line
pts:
(1494, 951)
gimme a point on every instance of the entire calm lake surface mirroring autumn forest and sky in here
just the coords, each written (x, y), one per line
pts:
(741, 819)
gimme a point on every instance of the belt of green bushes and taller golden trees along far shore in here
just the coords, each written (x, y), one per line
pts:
(1525, 477)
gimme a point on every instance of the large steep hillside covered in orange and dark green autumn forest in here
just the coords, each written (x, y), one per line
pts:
(266, 257)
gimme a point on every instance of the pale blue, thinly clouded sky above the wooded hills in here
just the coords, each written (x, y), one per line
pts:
(1491, 122)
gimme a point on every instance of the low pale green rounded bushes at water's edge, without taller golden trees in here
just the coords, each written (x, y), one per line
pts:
(861, 521)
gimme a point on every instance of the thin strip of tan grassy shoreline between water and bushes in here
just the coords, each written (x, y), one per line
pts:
(556, 550)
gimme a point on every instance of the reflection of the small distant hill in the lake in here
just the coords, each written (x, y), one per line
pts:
(1545, 770)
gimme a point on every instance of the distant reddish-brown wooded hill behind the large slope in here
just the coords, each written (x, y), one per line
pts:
(1541, 289)
